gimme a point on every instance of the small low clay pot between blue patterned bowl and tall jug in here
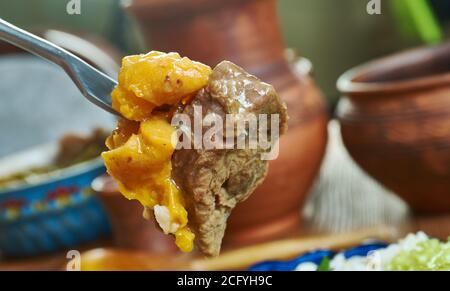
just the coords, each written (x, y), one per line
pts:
(130, 229)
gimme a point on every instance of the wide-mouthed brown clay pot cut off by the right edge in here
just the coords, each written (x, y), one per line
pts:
(395, 118)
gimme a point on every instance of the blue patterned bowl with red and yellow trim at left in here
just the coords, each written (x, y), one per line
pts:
(56, 212)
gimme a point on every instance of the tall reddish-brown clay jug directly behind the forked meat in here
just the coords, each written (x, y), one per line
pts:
(247, 33)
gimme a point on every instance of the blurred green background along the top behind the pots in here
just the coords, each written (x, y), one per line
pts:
(334, 35)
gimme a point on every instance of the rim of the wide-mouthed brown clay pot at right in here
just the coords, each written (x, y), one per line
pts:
(348, 84)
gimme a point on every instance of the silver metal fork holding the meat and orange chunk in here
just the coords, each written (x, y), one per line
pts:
(93, 84)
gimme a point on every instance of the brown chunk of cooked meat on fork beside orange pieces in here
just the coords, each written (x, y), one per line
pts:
(214, 181)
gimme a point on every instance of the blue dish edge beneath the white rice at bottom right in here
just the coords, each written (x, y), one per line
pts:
(315, 257)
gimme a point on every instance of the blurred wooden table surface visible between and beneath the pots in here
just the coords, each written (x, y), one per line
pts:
(344, 198)
